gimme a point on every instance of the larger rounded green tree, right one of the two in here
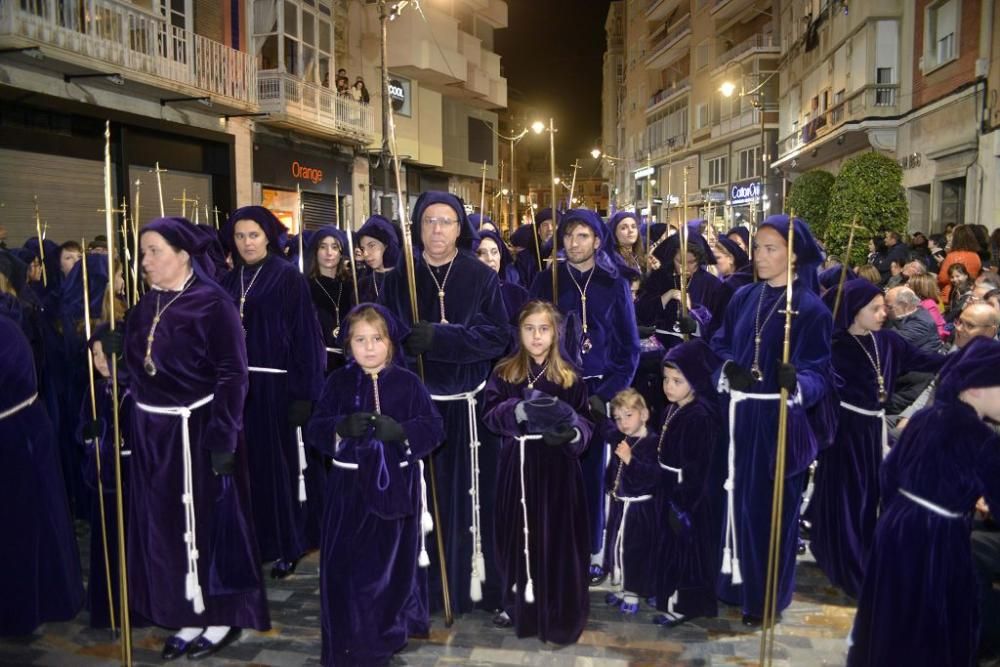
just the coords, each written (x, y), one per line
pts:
(869, 188)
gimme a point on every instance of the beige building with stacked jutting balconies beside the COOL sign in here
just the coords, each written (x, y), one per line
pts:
(447, 88)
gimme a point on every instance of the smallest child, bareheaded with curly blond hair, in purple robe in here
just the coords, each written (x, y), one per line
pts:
(631, 479)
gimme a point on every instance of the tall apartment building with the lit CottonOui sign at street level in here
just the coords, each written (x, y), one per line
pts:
(684, 131)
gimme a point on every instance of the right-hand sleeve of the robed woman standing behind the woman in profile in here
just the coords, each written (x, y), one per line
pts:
(308, 352)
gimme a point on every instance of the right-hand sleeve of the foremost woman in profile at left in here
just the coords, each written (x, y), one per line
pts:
(227, 349)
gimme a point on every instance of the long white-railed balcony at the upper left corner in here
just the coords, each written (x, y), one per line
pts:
(143, 46)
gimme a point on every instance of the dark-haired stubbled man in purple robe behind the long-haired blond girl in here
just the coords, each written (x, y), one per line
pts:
(592, 291)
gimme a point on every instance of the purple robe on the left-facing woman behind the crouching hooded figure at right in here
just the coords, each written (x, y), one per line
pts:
(844, 506)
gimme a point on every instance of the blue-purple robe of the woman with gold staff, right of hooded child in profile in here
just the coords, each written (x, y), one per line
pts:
(756, 426)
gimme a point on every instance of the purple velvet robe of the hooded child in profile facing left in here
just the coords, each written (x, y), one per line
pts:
(686, 552)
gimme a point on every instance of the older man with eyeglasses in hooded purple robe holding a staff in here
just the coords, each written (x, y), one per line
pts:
(463, 327)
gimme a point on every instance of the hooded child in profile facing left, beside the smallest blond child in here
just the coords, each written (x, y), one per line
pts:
(686, 548)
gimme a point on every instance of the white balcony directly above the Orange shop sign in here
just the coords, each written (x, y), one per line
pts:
(296, 104)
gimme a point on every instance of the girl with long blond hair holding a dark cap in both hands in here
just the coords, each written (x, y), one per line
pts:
(538, 403)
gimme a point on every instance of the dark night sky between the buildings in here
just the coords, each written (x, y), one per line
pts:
(565, 79)
